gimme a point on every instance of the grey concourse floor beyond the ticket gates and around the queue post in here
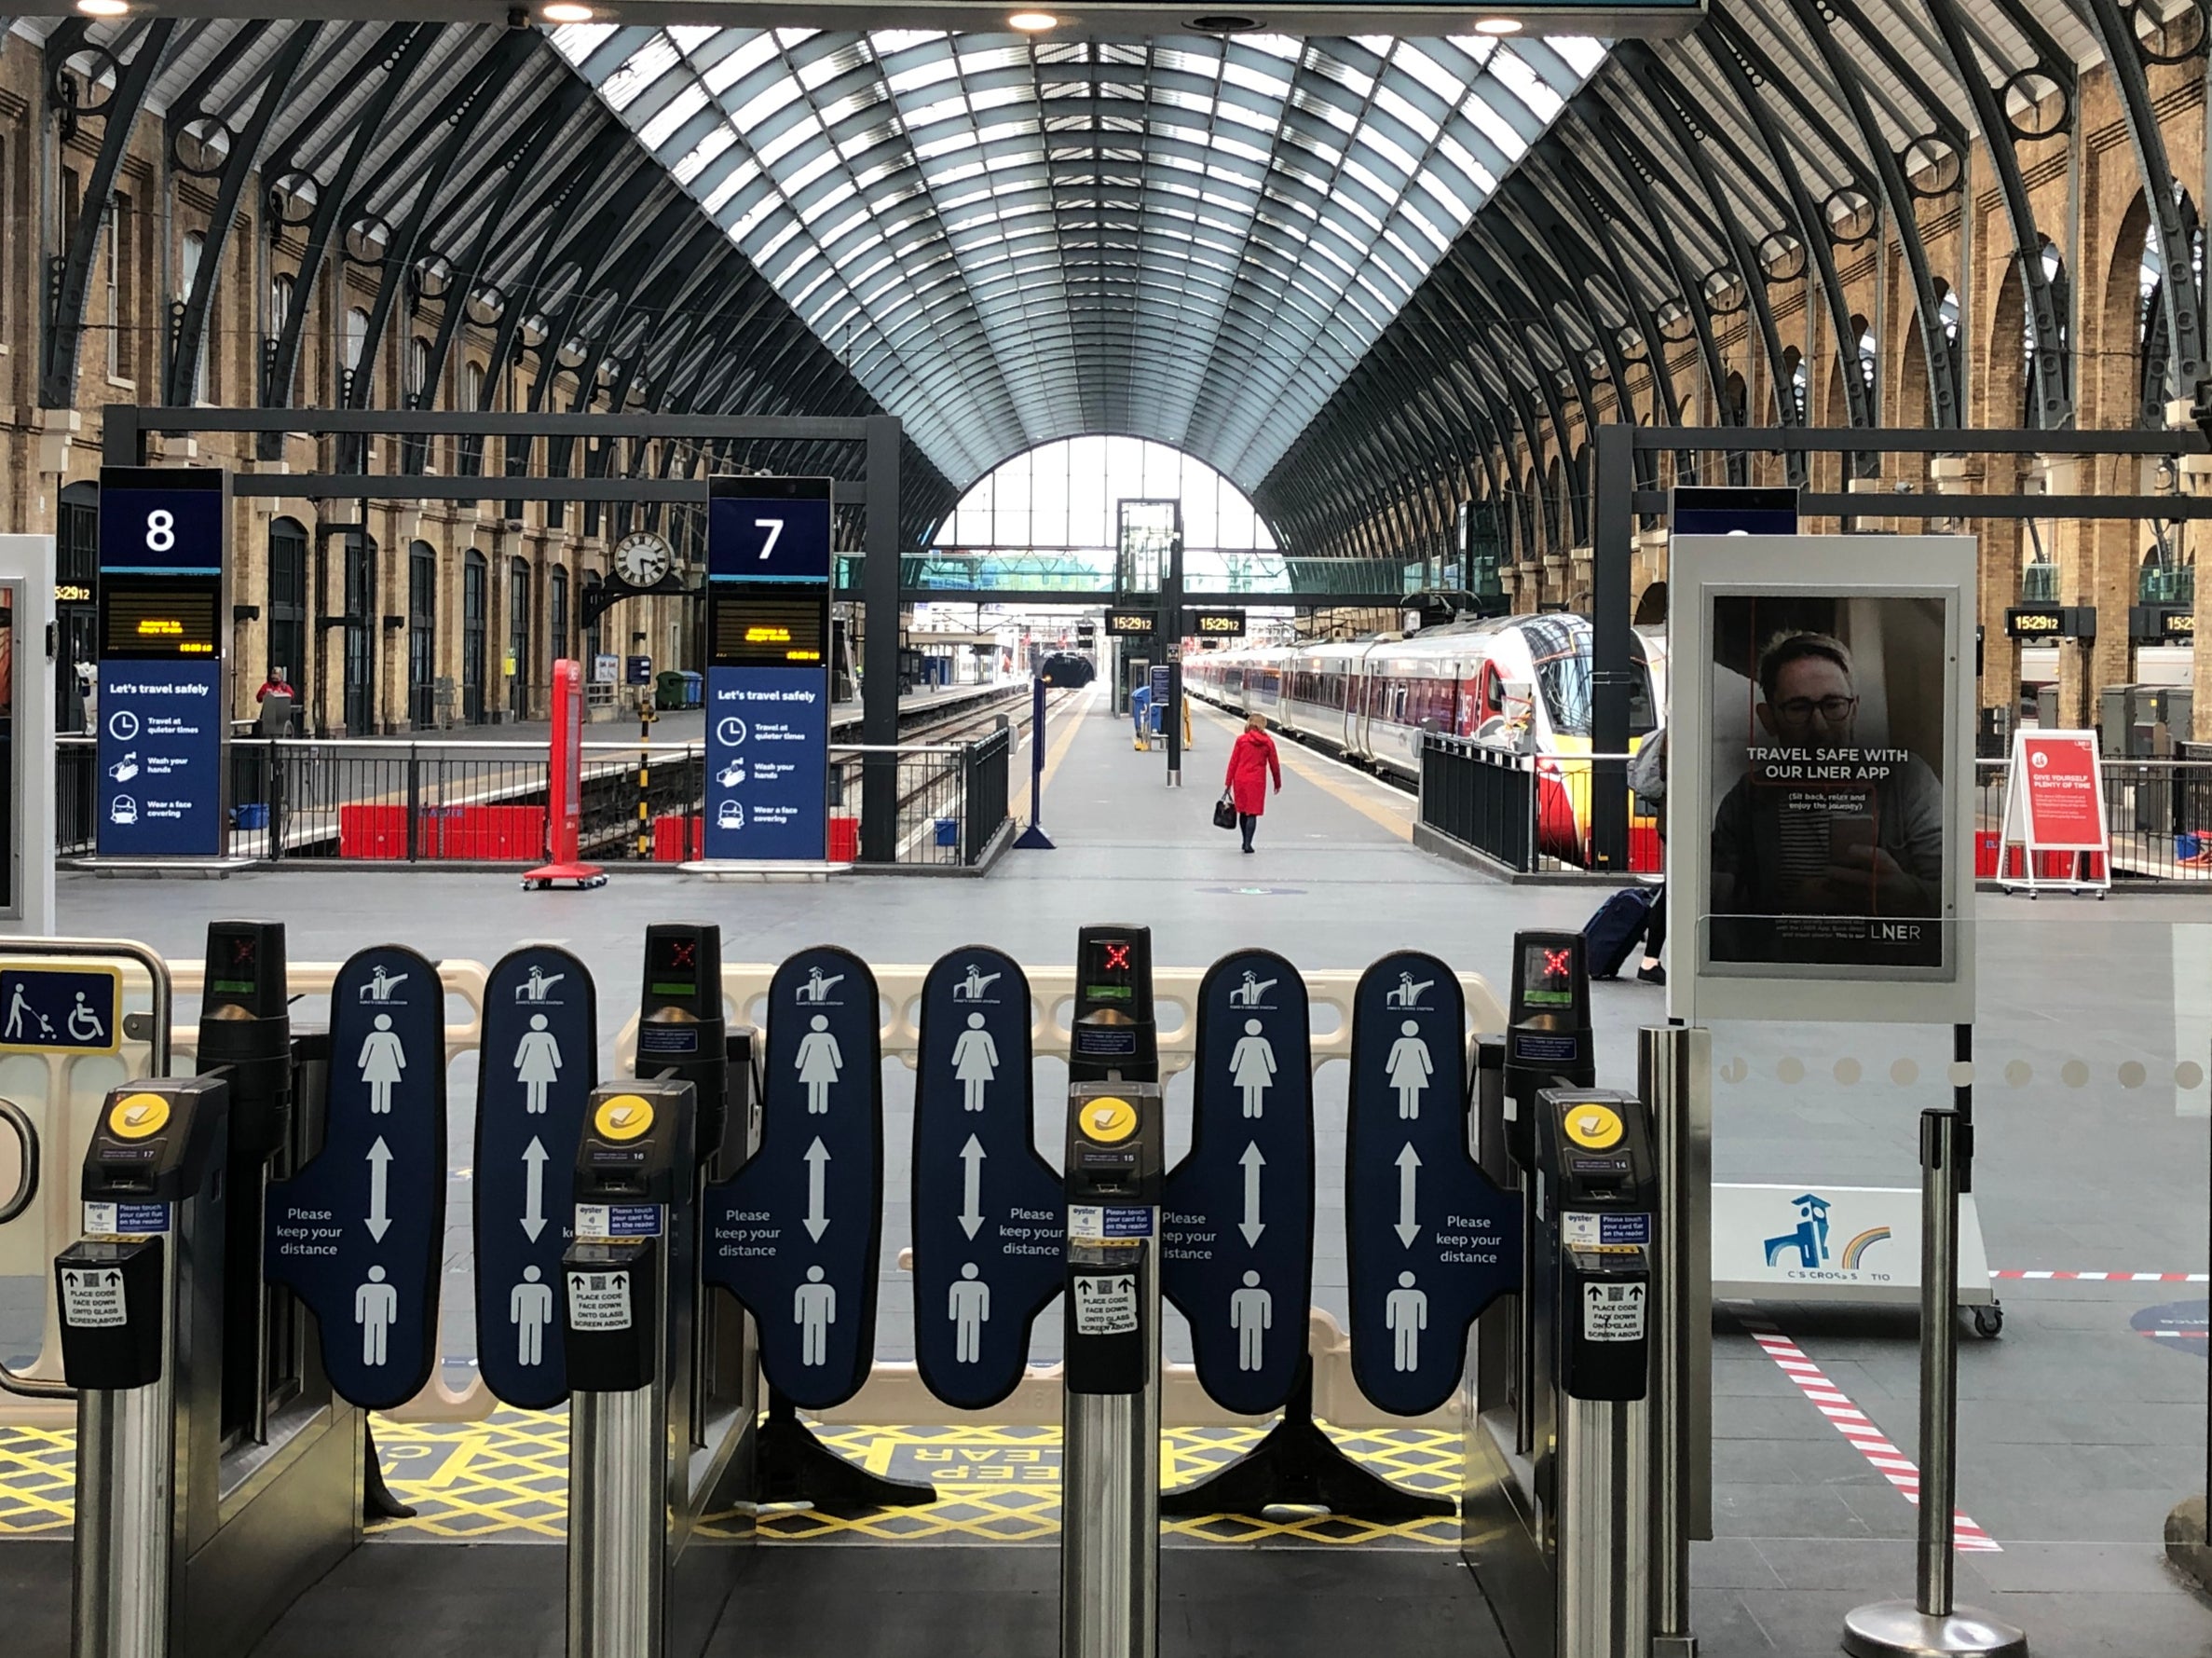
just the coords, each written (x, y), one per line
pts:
(2078, 1429)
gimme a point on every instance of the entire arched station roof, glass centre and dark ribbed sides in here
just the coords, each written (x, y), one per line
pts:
(1337, 269)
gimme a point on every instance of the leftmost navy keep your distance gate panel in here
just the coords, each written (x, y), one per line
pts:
(362, 1230)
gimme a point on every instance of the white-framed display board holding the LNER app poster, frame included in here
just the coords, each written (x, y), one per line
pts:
(1822, 778)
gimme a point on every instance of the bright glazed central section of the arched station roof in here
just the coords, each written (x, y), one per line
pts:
(1014, 240)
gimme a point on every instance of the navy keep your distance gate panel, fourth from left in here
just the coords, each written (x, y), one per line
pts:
(990, 1225)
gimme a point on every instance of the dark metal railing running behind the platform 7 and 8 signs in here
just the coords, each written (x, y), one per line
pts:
(486, 802)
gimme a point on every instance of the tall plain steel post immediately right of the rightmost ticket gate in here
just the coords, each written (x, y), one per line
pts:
(1676, 1081)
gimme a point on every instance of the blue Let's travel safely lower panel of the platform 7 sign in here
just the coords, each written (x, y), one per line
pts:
(769, 763)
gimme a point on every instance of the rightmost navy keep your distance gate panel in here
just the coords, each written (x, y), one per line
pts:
(1428, 1236)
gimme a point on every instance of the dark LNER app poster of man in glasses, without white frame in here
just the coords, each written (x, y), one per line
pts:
(1828, 783)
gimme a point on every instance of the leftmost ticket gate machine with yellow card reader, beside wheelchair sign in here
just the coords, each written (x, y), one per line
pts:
(218, 1473)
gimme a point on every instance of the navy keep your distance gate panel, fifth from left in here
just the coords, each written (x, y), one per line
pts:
(1238, 1250)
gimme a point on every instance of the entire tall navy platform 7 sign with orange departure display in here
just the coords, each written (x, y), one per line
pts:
(769, 670)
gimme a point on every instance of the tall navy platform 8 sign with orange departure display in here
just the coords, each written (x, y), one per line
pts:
(165, 612)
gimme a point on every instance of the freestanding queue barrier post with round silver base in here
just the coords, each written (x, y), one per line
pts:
(1932, 1626)
